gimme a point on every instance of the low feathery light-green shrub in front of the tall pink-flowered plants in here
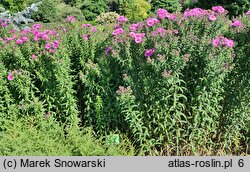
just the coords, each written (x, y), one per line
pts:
(23, 138)
